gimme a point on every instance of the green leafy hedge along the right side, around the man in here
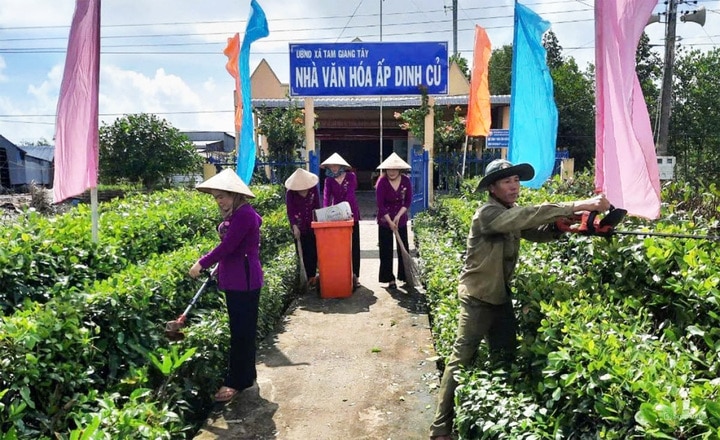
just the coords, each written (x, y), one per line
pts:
(618, 338)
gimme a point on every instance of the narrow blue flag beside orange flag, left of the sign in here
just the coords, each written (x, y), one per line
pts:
(256, 28)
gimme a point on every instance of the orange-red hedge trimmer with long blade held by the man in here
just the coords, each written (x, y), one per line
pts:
(588, 223)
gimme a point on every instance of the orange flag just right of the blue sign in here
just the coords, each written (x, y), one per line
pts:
(478, 119)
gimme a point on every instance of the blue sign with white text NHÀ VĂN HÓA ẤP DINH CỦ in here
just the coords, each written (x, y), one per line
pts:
(356, 69)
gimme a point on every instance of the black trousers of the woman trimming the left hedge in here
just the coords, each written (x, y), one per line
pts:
(243, 314)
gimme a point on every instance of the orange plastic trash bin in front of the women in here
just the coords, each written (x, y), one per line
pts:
(334, 246)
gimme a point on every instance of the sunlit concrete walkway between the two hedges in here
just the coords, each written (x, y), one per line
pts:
(360, 367)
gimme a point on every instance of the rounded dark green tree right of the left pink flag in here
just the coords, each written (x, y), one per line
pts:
(144, 148)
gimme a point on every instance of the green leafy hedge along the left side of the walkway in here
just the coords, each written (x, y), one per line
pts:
(92, 360)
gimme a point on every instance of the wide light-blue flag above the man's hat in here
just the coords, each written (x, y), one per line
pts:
(533, 114)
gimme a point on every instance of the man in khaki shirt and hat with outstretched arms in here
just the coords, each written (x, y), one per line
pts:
(493, 245)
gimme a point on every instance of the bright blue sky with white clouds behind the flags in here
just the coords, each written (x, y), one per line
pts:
(166, 57)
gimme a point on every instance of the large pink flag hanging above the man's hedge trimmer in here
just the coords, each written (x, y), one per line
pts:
(626, 166)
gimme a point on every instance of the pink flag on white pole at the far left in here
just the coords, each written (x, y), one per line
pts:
(76, 131)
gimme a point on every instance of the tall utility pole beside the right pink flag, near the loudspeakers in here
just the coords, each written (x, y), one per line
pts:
(666, 97)
